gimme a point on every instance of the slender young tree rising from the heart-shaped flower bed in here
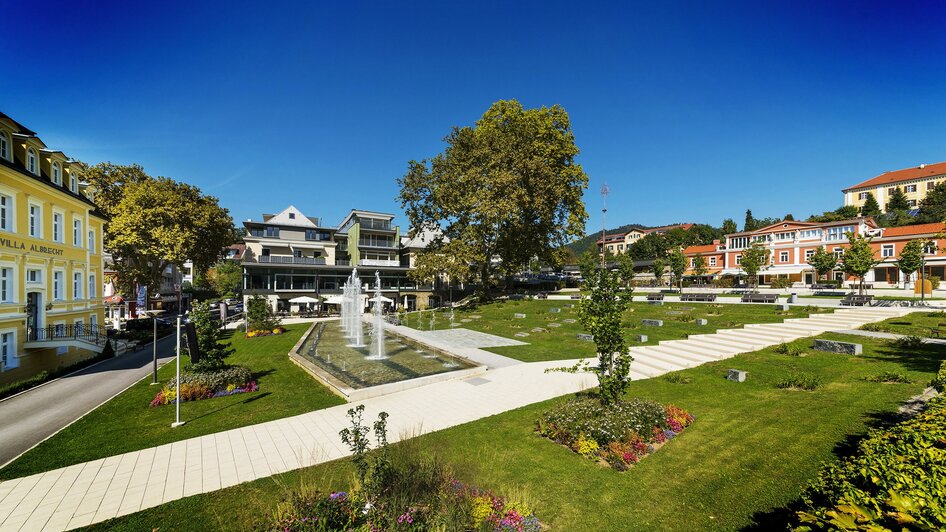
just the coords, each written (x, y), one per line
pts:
(600, 314)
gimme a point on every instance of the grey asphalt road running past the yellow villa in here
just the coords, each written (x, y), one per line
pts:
(33, 416)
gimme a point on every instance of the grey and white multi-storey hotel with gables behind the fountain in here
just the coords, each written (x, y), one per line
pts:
(290, 254)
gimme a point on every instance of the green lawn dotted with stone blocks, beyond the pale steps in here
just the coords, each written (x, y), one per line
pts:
(562, 343)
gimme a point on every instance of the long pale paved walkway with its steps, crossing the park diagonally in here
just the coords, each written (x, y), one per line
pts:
(91, 492)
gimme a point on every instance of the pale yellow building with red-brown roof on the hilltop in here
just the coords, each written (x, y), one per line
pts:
(915, 182)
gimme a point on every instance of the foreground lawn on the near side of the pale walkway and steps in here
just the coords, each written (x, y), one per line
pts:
(750, 452)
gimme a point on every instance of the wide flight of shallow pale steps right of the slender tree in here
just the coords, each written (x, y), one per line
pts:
(673, 355)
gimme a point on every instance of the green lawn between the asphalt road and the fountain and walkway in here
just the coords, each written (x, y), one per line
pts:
(127, 423)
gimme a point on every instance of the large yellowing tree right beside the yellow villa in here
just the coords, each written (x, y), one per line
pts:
(157, 222)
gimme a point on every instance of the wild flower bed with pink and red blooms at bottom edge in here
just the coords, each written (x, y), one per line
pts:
(460, 507)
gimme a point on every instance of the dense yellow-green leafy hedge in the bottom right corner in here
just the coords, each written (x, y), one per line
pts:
(895, 481)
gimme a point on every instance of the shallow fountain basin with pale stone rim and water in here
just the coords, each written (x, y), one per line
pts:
(324, 353)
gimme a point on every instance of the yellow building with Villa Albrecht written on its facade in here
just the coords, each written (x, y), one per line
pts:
(50, 258)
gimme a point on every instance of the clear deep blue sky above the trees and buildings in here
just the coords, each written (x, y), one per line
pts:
(690, 112)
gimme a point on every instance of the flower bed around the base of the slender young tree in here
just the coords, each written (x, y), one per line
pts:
(619, 435)
